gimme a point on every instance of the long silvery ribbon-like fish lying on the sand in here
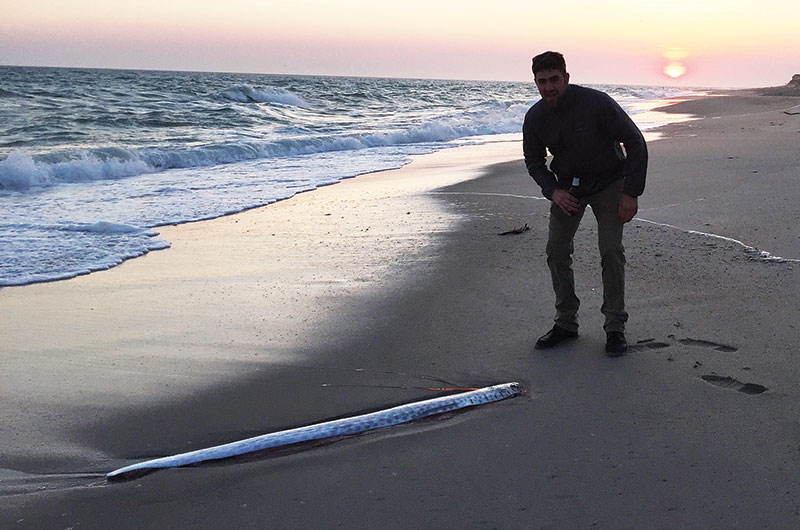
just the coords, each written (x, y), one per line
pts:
(329, 429)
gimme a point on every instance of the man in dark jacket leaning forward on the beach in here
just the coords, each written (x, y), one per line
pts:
(583, 128)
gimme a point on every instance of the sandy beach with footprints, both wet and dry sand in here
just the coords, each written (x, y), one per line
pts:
(357, 296)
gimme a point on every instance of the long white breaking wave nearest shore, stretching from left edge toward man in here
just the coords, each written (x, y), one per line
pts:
(21, 171)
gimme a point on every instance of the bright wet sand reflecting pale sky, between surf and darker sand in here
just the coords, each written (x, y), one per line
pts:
(193, 311)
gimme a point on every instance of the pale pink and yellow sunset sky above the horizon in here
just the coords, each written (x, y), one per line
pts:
(722, 43)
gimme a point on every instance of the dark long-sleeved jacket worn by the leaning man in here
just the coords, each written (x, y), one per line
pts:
(584, 134)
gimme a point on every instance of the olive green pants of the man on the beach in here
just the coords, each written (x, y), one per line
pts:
(605, 206)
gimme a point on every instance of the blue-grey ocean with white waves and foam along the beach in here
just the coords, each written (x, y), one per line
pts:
(92, 162)
